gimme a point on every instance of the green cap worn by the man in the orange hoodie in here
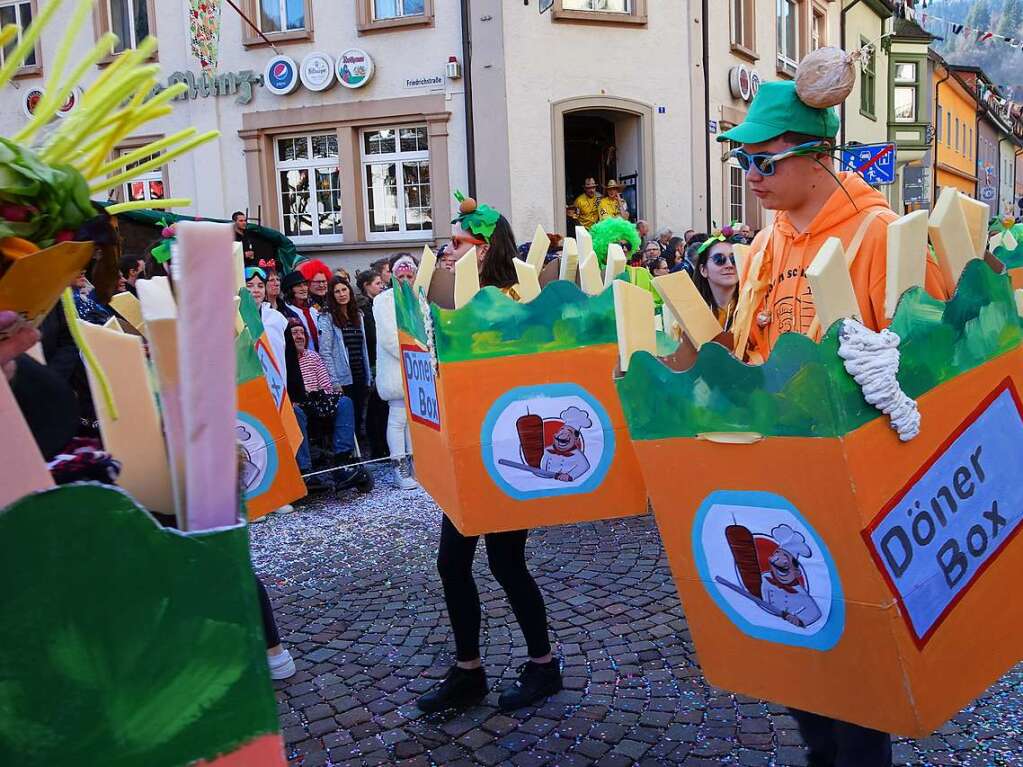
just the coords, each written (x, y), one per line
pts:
(777, 110)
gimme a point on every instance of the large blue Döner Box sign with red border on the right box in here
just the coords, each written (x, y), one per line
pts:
(936, 538)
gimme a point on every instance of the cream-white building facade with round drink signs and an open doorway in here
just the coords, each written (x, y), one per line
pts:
(344, 124)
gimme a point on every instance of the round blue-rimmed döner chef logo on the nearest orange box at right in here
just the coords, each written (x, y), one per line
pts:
(769, 570)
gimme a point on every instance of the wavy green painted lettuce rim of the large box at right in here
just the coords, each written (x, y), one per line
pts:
(788, 396)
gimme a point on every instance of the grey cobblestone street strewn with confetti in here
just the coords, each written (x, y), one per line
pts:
(360, 604)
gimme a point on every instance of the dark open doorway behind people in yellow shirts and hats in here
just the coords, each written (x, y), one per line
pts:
(604, 145)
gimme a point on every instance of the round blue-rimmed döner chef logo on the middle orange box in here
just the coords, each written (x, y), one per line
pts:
(545, 441)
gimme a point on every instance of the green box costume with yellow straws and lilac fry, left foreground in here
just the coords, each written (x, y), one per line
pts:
(128, 643)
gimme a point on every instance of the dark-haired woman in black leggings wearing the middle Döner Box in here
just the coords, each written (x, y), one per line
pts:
(465, 685)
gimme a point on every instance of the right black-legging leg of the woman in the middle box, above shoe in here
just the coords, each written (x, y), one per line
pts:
(507, 553)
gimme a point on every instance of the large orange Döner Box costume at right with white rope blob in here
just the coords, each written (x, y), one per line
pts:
(825, 563)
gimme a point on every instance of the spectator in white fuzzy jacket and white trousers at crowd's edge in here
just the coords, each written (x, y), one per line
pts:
(389, 381)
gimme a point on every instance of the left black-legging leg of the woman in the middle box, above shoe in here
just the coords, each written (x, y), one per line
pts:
(455, 563)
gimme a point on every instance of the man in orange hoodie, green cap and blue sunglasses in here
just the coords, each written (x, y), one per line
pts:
(786, 153)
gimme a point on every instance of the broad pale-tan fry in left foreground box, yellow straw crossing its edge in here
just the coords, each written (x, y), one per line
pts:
(136, 438)
